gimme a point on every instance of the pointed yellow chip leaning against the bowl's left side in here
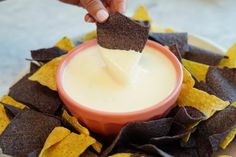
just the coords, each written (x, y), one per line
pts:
(46, 75)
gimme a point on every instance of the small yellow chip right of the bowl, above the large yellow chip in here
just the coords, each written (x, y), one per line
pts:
(198, 70)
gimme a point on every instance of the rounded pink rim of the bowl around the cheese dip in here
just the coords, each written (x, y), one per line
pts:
(74, 104)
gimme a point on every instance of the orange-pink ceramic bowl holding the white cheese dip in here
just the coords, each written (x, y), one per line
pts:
(109, 123)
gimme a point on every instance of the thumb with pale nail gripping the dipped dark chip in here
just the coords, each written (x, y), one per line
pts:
(95, 9)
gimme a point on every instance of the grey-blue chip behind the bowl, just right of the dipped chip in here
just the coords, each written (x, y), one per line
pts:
(168, 39)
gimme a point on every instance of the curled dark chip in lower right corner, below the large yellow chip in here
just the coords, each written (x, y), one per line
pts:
(214, 130)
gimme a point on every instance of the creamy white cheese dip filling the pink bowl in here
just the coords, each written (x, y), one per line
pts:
(87, 80)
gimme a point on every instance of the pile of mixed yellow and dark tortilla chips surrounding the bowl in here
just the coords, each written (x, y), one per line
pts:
(34, 121)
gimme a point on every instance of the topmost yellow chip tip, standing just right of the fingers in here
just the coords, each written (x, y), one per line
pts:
(141, 14)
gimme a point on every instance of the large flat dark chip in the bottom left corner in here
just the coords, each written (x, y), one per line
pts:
(27, 133)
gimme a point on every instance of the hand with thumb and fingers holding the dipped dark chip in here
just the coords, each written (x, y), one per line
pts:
(98, 10)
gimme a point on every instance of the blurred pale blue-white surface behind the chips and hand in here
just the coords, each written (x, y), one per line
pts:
(32, 24)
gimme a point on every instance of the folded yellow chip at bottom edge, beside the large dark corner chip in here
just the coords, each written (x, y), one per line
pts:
(72, 145)
